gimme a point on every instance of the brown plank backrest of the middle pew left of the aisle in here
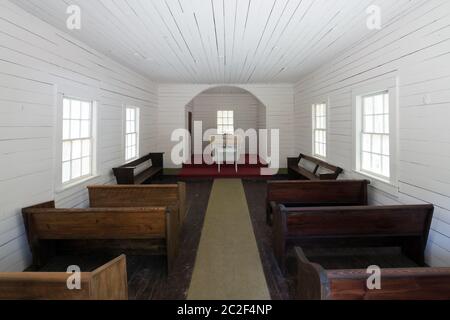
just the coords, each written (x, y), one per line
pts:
(96, 224)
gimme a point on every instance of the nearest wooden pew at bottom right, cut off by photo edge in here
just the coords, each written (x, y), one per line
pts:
(314, 282)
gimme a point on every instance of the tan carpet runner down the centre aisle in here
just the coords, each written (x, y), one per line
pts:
(228, 265)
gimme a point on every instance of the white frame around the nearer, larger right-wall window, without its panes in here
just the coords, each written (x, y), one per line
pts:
(390, 86)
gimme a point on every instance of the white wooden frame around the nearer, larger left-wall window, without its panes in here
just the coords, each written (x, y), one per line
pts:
(59, 184)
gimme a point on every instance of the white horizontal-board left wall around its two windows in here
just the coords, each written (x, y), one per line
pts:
(37, 63)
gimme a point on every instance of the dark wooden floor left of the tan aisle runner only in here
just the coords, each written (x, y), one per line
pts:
(147, 276)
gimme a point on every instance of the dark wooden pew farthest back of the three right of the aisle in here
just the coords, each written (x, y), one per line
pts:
(316, 194)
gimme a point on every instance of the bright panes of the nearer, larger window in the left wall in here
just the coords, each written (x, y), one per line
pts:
(77, 140)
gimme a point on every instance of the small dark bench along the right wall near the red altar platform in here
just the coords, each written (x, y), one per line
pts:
(308, 168)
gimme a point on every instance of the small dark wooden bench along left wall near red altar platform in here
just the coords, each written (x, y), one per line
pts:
(141, 171)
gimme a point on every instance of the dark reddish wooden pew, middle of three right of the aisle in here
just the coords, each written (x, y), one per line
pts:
(399, 226)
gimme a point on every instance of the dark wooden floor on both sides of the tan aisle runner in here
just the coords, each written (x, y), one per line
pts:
(147, 275)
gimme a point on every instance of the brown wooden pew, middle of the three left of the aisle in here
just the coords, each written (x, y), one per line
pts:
(137, 231)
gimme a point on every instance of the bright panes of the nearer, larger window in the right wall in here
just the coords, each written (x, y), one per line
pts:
(374, 136)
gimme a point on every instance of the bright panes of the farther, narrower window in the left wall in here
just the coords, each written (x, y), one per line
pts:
(131, 133)
